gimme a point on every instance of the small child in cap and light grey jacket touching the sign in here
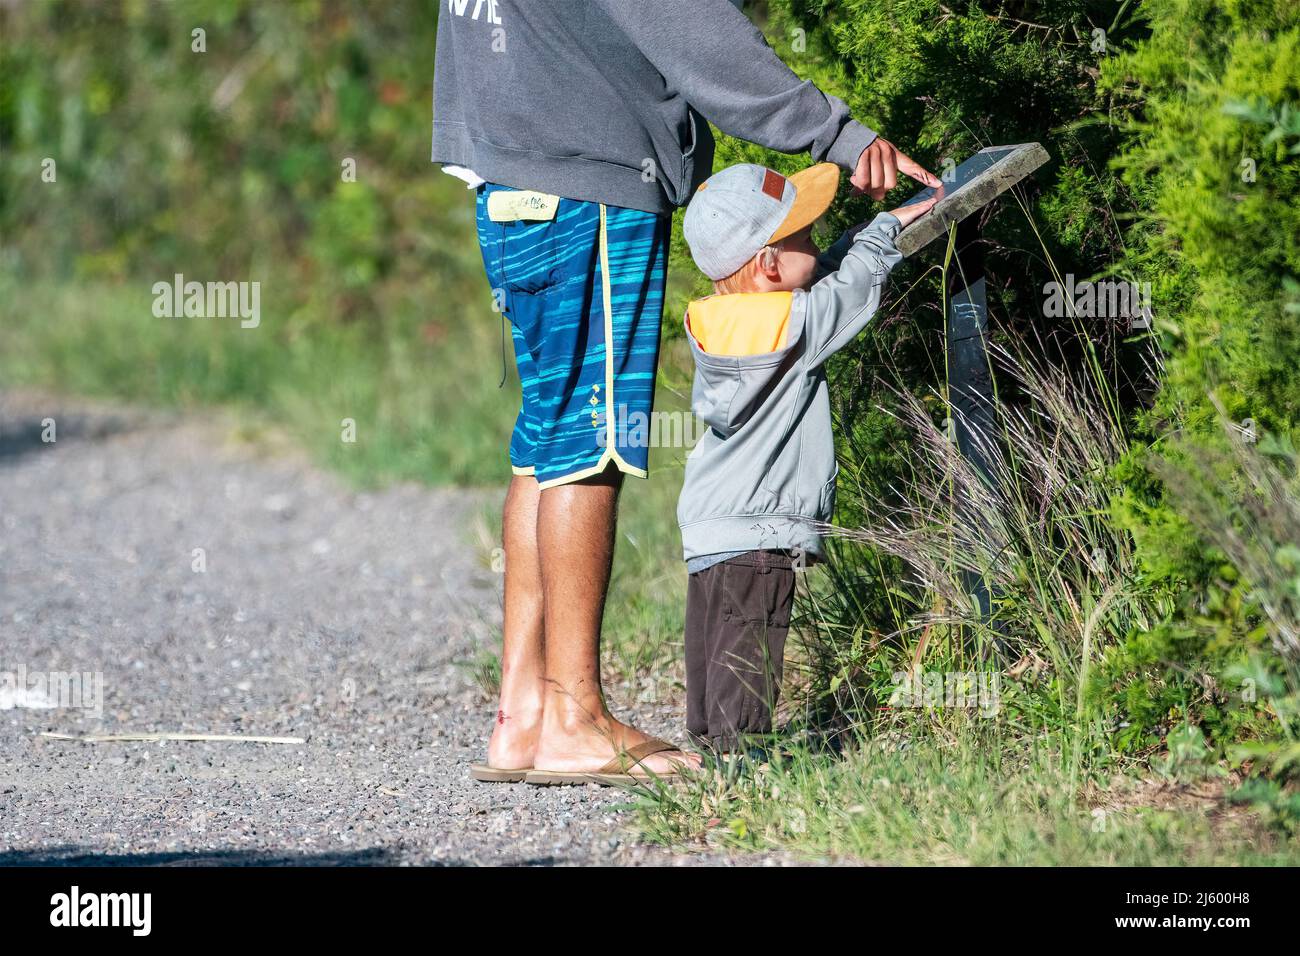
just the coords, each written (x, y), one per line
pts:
(764, 475)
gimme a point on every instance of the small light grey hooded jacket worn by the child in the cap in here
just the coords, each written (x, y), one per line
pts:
(764, 474)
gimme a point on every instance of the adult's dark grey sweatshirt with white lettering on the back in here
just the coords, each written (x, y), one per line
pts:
(601, 101)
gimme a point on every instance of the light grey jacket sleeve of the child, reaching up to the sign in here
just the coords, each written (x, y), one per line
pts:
(842, 305)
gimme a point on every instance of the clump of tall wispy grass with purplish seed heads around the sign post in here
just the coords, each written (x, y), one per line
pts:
(1035, 530)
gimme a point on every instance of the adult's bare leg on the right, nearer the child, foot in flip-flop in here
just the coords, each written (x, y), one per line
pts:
(575, 538)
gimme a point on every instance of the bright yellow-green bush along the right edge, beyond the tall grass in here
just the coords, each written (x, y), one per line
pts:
(1208, 103)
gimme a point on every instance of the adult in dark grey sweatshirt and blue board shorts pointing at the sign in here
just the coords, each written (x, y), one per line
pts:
(582, 126)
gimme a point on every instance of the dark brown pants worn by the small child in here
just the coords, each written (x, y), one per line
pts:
(738, 618)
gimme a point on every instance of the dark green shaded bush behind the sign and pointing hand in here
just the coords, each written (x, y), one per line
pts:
(943, 83)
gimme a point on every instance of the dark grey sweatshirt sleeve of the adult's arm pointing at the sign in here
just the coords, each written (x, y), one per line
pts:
(720, 62)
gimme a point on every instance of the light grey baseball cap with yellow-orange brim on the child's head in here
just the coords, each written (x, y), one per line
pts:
(742, 209)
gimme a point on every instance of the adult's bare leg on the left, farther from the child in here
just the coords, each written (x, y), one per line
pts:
(519, 716)
